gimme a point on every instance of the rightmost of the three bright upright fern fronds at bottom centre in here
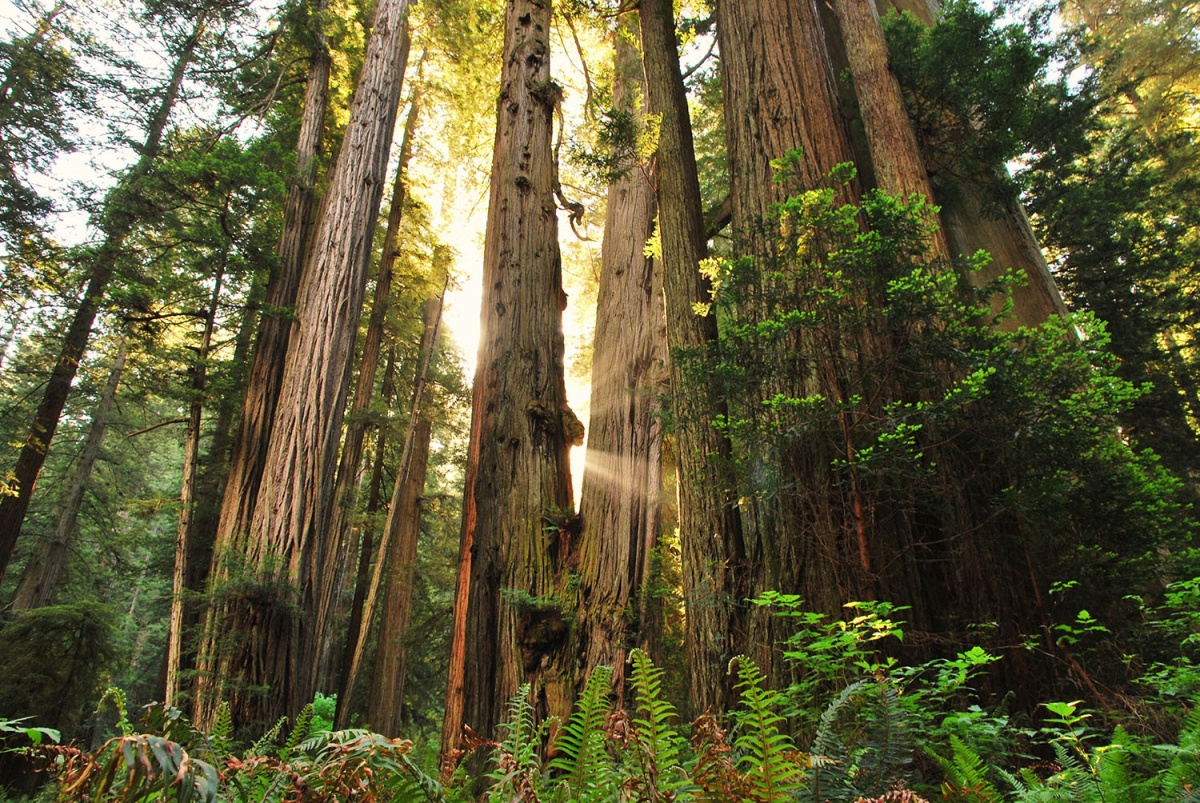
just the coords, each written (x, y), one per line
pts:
(769, 754)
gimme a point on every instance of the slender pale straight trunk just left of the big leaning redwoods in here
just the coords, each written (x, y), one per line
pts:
(185, 530)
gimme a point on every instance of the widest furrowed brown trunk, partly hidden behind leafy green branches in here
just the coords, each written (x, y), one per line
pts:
(781, 95)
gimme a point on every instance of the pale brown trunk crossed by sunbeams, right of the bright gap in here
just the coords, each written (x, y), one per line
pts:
(620, 505)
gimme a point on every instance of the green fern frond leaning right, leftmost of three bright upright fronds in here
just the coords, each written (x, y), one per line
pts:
(580, 747)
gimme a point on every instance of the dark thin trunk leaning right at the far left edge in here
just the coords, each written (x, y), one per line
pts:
(119, 217)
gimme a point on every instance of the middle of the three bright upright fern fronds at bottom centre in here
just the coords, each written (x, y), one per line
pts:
(656, 747)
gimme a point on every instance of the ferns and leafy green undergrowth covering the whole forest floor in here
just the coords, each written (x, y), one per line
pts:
(860, 727)
